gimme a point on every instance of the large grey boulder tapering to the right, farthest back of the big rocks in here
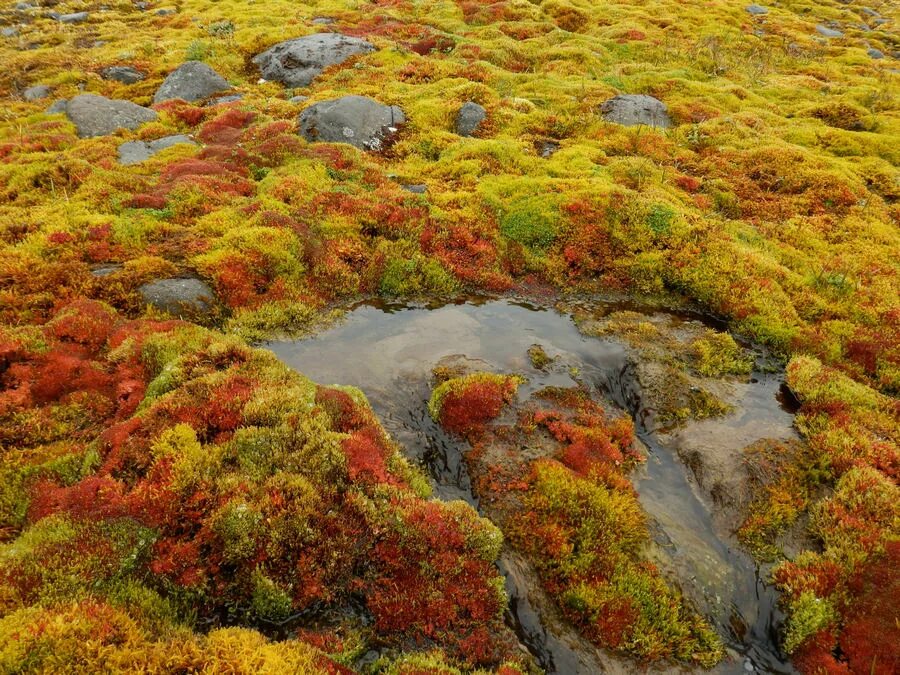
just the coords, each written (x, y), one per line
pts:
(297, 62)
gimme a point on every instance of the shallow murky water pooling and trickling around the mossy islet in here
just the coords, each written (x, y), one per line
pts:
(388, 351)
